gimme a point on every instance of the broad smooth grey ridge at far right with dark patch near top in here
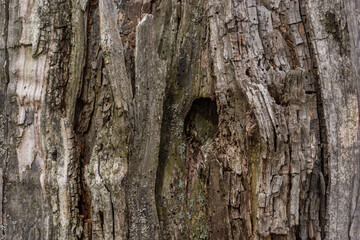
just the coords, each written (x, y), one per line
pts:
(330, 38)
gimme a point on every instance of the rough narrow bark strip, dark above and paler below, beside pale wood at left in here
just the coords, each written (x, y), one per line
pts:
(59, 148)
